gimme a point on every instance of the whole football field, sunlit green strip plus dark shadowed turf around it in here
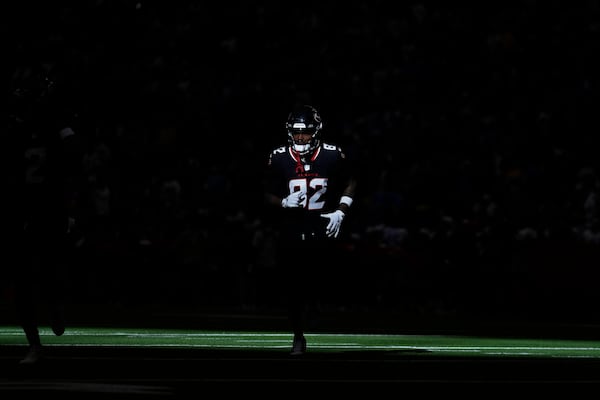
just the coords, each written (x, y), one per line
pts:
(108, 353)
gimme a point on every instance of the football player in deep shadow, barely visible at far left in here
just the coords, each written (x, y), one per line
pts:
(42, 141)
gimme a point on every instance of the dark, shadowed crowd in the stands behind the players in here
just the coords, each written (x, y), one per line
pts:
(473, 125)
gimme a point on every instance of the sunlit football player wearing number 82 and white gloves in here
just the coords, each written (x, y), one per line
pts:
(311, 185)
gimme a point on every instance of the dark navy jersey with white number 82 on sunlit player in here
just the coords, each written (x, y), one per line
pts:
(322, 176)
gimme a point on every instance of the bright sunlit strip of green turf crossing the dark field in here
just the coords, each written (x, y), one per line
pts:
(422, 345)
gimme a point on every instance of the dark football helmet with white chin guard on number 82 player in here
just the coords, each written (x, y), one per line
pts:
(304, 119)
